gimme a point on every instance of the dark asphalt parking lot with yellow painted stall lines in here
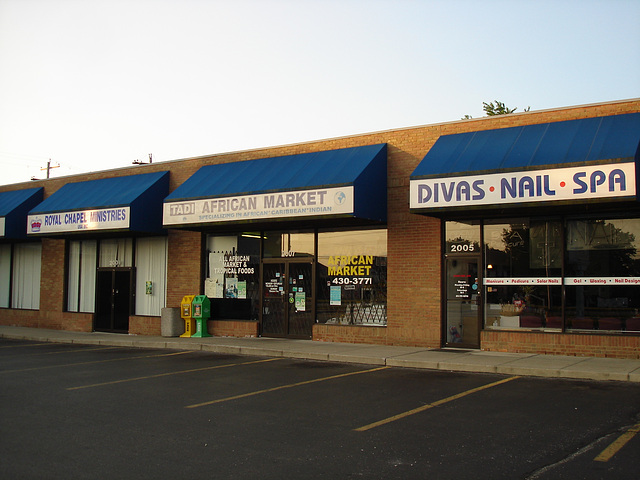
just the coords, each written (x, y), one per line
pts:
(74, 411)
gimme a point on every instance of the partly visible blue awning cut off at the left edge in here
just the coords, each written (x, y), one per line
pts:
(14, 207)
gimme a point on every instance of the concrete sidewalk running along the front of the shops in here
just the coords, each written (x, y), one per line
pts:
(558, 366)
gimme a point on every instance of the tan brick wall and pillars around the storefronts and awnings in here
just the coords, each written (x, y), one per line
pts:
(414, 290)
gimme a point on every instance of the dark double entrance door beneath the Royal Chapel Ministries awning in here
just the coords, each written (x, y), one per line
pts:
(113, 302)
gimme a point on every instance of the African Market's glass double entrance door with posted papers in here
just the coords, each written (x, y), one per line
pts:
(287, 298)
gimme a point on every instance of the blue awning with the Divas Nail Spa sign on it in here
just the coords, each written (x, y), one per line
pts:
(572, 161)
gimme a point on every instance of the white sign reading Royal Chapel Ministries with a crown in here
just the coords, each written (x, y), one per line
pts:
(101, 219)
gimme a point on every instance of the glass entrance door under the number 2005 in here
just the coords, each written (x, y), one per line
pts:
(463, 308)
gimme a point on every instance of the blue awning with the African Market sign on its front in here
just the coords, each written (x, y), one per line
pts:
(349, 182)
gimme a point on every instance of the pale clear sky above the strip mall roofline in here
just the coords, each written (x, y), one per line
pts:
(95, 85)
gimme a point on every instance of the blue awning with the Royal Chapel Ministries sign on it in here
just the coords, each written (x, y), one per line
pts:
(131, 203)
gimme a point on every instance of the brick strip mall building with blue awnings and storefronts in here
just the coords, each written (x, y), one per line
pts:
(516, 233)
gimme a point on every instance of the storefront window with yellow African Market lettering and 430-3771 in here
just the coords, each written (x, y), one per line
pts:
(352, 277)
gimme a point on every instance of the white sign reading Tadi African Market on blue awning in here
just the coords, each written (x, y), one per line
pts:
(302, 203)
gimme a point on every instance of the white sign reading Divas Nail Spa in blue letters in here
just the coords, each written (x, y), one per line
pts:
(575, 183)
